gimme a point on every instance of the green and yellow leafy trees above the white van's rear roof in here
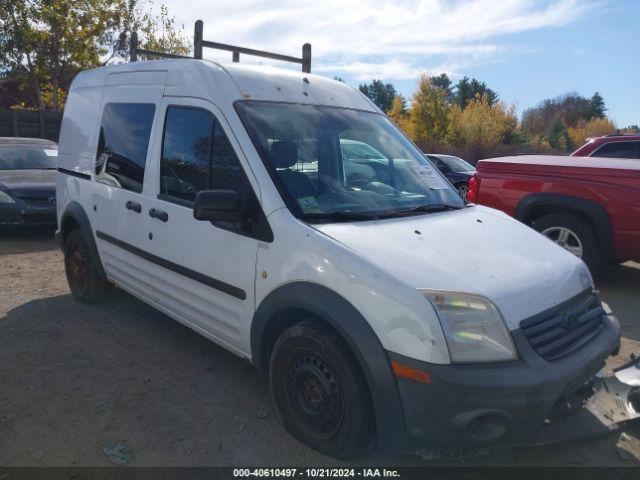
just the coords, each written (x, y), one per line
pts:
(45, 43)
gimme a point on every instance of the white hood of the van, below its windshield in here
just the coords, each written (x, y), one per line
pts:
(477, 250)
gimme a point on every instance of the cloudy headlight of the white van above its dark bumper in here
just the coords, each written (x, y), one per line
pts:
(473, 327)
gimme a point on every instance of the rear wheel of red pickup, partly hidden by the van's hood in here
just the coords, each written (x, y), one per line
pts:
(553, 224)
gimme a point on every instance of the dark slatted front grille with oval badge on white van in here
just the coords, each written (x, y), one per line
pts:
(555, 335)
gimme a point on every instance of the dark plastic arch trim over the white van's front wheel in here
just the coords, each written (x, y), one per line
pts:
(295, 302)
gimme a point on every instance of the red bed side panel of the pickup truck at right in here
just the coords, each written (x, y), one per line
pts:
(618, 194)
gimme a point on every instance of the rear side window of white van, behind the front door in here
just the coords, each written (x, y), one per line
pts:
(123, 144)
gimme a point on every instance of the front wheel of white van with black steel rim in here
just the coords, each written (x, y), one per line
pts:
(319, 391)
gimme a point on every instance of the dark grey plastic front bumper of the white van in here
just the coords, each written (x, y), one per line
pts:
(475, 407)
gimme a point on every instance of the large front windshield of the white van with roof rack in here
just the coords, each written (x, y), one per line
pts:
(334, 164)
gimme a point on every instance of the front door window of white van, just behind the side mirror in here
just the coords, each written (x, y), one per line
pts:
(186, 150)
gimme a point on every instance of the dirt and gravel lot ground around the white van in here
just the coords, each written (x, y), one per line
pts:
(74, 378)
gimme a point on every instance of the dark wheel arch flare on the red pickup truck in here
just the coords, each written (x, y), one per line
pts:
(535, 205)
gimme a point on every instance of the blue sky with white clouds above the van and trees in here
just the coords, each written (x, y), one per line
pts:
(526, 50)
